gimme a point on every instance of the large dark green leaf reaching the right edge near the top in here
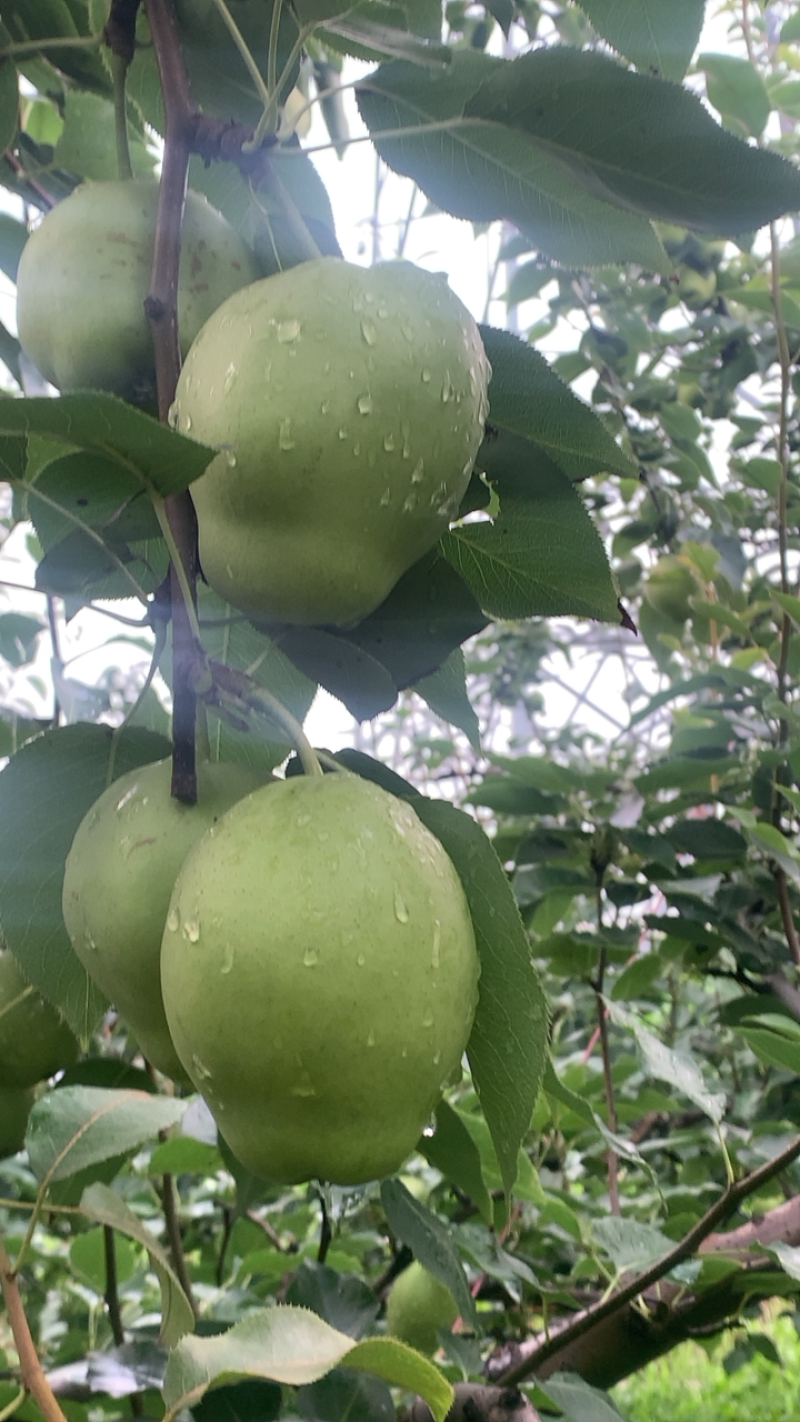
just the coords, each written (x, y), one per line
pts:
(639, 141)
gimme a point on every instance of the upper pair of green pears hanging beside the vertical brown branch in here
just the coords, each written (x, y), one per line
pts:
(347, 405)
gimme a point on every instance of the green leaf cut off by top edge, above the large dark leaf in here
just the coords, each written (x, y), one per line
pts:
(650, 33)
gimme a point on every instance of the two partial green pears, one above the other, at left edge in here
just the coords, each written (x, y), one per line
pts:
(35, 1044)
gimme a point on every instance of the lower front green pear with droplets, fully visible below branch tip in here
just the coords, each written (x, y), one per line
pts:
(301, 982)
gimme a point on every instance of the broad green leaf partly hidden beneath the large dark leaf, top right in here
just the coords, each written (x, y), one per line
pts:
(480, 167)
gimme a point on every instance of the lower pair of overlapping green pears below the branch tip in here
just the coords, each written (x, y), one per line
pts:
(305, 958)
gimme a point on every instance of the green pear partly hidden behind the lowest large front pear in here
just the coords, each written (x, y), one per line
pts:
(119, 880)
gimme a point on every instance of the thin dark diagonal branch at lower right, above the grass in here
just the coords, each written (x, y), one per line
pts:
(531, 1357)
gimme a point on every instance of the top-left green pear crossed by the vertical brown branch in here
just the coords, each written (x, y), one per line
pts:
(85, 275)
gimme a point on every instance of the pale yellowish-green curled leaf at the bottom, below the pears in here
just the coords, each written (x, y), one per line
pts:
(293, 1346)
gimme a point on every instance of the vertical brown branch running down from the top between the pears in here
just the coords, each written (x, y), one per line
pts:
(161, 306)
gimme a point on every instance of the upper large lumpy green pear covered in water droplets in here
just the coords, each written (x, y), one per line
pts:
(355, 423)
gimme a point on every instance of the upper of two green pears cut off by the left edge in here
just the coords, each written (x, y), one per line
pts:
(35, 1042)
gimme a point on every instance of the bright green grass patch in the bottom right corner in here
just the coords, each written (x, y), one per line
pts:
(691, 1386)
